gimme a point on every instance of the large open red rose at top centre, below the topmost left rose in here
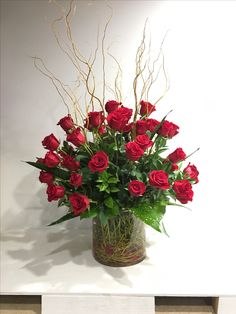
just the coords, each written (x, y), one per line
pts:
(118, 119)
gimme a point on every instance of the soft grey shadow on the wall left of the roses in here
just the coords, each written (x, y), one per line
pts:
(36, 211)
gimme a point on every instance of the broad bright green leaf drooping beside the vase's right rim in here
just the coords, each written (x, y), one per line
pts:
(151, 214)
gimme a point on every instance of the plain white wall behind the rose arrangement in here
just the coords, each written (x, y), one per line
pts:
(200, 54)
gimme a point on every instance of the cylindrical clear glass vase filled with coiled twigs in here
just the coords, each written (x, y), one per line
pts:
(120, 242)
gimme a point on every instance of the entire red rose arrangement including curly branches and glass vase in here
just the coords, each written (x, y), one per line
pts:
(114, 159)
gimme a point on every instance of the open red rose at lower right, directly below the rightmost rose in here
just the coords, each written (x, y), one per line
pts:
(183, 191)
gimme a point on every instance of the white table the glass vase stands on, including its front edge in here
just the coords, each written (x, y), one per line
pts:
(57, 263)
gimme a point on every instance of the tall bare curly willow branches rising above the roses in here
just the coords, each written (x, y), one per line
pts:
(145, 68)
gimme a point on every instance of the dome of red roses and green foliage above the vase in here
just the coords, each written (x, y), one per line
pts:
(114, 160)
